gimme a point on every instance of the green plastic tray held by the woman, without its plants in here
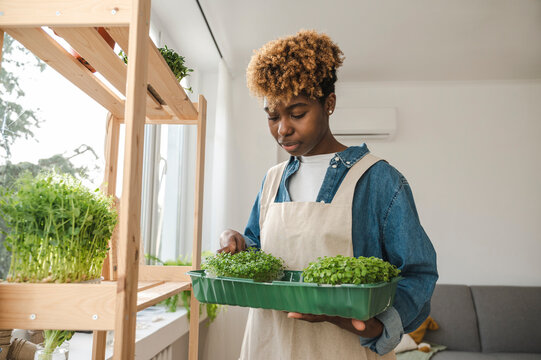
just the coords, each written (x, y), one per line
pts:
(291, 294)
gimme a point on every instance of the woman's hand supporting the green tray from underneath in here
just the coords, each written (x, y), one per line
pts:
(369, 328)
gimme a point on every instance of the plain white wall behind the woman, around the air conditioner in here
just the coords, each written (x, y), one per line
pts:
(471, 154)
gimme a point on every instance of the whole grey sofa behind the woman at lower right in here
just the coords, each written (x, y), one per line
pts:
(487, 322)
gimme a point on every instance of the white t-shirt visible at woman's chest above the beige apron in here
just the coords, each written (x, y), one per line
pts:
(304, 185)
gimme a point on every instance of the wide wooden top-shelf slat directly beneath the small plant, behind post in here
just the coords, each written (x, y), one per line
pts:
(160, 77)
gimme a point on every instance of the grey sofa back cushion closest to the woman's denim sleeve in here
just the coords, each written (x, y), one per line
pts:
(452, 308)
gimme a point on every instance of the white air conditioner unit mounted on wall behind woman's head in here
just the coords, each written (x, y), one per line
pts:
(364, 123)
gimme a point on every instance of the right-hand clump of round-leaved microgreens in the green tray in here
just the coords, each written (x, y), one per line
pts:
(349, 270)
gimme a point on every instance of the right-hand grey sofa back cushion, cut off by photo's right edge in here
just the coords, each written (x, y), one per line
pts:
(509, 318)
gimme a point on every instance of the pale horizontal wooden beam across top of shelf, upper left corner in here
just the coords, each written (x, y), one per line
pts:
(32, 13)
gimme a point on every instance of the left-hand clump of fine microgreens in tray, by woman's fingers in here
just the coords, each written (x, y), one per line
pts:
(249, 264)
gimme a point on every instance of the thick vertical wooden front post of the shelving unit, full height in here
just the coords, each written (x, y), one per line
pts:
(130, 220)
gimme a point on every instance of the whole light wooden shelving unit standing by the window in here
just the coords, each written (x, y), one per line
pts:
(128, 287)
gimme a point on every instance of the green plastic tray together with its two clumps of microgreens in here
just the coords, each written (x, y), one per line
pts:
(343, 286)
